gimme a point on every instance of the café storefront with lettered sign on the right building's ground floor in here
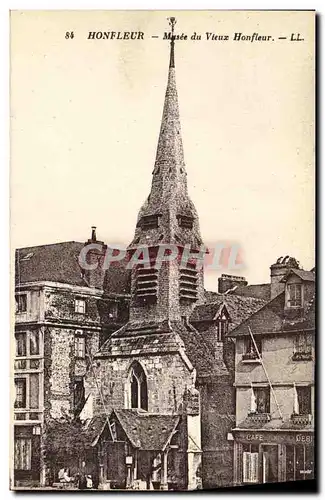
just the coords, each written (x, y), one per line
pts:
(273, 456)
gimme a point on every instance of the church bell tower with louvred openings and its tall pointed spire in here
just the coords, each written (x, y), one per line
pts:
(167, 225)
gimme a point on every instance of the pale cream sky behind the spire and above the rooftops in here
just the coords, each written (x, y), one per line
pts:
(86, 117)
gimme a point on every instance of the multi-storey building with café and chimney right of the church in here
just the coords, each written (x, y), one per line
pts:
(274, 381)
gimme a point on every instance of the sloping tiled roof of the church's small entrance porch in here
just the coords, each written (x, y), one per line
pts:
(147, 431)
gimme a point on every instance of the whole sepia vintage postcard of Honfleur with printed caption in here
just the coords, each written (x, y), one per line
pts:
(162, 233)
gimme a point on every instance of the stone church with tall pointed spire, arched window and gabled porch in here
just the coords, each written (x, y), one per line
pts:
(169, 371)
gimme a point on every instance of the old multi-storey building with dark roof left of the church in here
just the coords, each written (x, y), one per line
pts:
(60, 320)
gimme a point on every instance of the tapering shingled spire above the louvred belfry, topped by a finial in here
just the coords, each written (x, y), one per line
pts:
(168, 199)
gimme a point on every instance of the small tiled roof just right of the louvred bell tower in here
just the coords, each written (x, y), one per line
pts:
(238, 307)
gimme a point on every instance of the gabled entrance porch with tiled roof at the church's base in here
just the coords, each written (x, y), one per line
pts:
(141, 451)
